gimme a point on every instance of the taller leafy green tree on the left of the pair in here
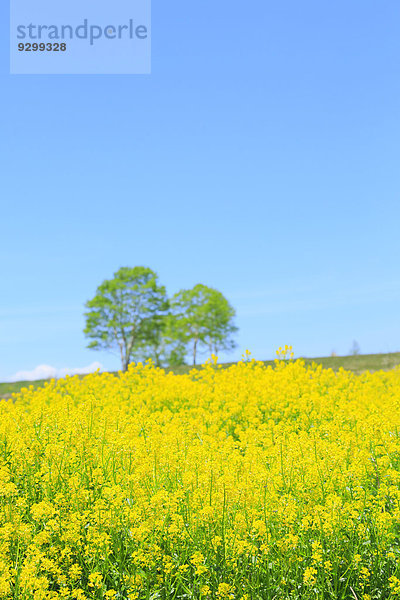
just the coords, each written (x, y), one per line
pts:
(127, 313)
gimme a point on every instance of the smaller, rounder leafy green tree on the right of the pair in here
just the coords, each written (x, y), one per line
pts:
(202, 318)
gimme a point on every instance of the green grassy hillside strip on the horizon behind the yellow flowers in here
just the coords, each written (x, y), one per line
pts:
(357, 364)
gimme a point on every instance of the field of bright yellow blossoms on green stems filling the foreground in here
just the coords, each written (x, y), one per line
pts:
(243, 483)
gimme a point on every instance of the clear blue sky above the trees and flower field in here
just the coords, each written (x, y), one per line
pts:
(261, 157)
